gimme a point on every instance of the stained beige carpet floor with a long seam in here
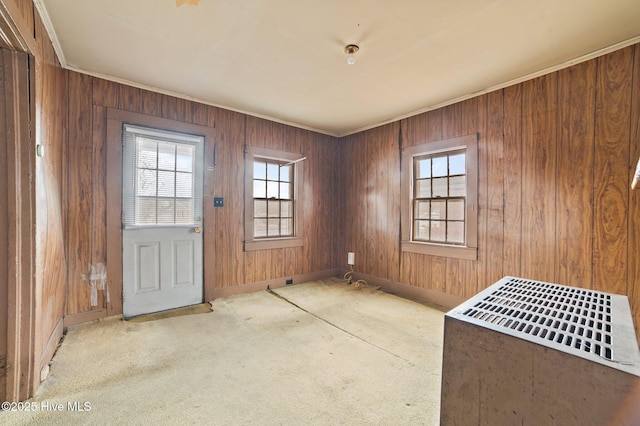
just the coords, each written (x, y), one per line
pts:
(315, 353)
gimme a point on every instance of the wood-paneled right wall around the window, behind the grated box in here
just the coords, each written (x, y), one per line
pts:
(556, 158)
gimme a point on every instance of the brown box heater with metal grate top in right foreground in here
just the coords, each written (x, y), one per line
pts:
(530, 352)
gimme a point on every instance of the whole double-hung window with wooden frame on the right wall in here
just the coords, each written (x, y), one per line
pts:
(439, 208)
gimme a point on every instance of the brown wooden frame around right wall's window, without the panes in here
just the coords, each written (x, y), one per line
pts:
(468, 251)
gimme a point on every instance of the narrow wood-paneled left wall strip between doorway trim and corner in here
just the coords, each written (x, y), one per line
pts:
(51, 264)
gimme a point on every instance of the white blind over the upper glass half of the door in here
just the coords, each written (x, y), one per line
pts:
(162, 184)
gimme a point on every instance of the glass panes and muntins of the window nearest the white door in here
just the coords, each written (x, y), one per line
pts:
(273, 203)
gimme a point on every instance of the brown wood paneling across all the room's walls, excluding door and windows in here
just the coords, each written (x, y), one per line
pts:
(556, 155)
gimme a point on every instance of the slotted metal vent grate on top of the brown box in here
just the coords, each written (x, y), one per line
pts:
(576, 318)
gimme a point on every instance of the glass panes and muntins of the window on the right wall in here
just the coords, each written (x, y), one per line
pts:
(439, 197)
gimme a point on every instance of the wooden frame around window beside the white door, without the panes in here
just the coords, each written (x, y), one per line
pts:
(265, 243)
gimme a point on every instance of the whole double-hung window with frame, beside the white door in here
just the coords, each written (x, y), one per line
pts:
(272, 199)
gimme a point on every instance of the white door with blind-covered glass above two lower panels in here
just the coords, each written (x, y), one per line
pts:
(162, 220)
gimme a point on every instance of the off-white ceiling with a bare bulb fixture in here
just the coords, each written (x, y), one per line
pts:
(284, 59)
